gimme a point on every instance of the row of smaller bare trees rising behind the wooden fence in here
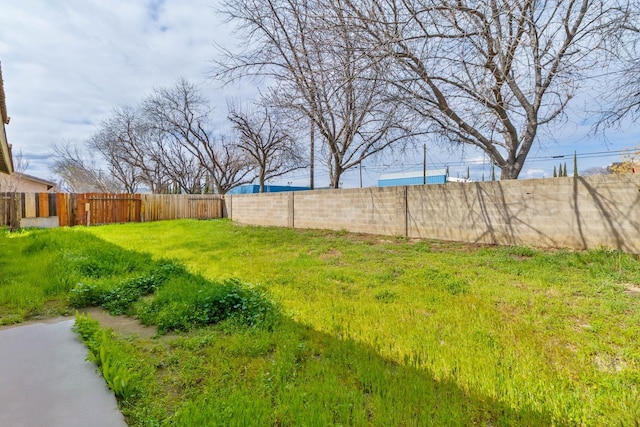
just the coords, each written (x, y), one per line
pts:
(168, 144)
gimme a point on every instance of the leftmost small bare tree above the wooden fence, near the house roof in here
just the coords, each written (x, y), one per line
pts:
(80, 174)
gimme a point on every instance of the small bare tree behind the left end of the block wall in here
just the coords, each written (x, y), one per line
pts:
(264, 138)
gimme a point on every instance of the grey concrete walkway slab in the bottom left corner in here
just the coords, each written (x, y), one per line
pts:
(46, 381)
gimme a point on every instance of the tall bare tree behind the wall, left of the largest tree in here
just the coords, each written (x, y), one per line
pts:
(309, 50)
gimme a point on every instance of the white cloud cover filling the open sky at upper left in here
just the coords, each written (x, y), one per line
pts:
(66, 65)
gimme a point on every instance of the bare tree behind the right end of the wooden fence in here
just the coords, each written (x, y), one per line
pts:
(181, 116)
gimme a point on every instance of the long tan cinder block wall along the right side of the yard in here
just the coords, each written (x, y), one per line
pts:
(583, 212)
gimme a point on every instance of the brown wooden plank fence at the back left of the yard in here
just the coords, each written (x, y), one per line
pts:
(99, 208)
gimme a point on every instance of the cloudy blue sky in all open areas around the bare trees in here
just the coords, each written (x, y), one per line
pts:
(67, 64)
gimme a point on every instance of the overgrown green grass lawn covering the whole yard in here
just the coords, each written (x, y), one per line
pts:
(343, 329)
